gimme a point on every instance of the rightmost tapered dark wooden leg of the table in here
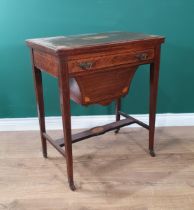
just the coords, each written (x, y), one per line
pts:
(154, 77)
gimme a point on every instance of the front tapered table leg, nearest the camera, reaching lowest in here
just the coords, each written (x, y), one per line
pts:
(66, 120)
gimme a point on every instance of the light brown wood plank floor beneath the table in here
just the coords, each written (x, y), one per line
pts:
(112, 172)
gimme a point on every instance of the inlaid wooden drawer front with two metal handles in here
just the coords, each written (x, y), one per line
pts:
(100, 62)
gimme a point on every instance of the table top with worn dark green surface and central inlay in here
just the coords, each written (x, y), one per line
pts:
(86, 40)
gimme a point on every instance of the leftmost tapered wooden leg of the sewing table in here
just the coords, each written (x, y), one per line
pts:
(40, 105)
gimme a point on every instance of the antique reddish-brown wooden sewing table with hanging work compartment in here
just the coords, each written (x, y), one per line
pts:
(93, 69)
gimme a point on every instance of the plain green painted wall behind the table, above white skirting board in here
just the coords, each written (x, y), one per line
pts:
(23, 19)
